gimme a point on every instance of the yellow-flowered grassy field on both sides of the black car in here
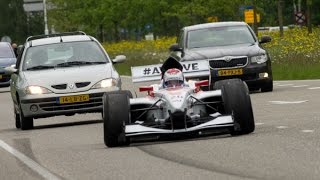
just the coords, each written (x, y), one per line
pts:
(294, 56)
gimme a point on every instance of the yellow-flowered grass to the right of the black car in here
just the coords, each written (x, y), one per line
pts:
(296, 55)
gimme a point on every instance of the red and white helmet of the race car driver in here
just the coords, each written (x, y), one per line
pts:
(173, 78)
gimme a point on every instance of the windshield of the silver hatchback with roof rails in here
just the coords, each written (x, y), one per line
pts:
(64, 55)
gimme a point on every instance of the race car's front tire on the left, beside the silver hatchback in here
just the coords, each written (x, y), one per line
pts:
(116, 110)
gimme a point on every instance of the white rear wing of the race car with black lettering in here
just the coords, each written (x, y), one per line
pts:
(199, 68)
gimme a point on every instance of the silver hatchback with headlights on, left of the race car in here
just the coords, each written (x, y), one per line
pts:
(61, 74)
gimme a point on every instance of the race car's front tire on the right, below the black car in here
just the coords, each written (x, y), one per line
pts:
(237, 102)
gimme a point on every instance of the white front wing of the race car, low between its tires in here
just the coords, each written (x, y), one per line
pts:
(140, 130)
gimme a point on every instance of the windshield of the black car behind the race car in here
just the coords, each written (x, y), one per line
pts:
(219, 36)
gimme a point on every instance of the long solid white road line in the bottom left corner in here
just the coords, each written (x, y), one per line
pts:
(29, 162)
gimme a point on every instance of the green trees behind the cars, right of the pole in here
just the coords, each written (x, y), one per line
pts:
(131, 19)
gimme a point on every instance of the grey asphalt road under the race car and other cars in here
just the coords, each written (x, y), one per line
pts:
(285, 145)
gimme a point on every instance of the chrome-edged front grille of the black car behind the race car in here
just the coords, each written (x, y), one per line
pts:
(233, 62)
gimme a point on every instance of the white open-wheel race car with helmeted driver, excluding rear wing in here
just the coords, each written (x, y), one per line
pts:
(177, 107)
